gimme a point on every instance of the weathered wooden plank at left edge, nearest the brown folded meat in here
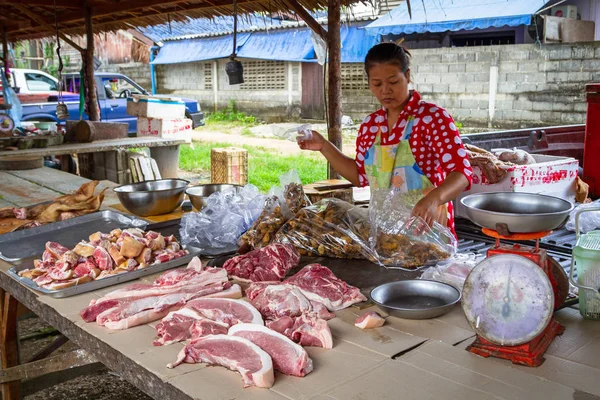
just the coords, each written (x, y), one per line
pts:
(23, 193)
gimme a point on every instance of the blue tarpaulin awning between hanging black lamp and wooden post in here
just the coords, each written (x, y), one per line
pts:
(281, 45)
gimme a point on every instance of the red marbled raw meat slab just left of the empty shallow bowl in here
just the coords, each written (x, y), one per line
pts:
(318, 283)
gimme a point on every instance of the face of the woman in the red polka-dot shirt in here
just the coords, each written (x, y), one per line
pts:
(389, 84)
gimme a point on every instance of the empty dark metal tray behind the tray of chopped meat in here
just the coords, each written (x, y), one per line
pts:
(19, 245)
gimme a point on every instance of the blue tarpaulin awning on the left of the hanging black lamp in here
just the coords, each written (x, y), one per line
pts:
(189, 50)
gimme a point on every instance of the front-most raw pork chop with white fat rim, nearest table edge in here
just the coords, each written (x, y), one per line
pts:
(236, 353)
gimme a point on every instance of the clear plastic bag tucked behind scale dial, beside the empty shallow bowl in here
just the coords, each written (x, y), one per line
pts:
(453, 271)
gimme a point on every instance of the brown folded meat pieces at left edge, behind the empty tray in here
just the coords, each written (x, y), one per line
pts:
(68, 206)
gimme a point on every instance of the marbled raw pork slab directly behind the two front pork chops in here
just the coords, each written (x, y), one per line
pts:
(194, 320)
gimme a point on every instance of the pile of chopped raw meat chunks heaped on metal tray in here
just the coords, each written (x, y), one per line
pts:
(102, 256)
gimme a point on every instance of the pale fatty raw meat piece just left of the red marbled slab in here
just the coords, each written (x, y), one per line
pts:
(276, 301)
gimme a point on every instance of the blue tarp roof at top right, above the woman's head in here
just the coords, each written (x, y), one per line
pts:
(455, 15)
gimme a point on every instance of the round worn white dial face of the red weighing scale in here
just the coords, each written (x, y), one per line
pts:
(508, 299)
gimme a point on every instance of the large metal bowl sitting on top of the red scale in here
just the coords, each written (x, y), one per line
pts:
(520, 212)
